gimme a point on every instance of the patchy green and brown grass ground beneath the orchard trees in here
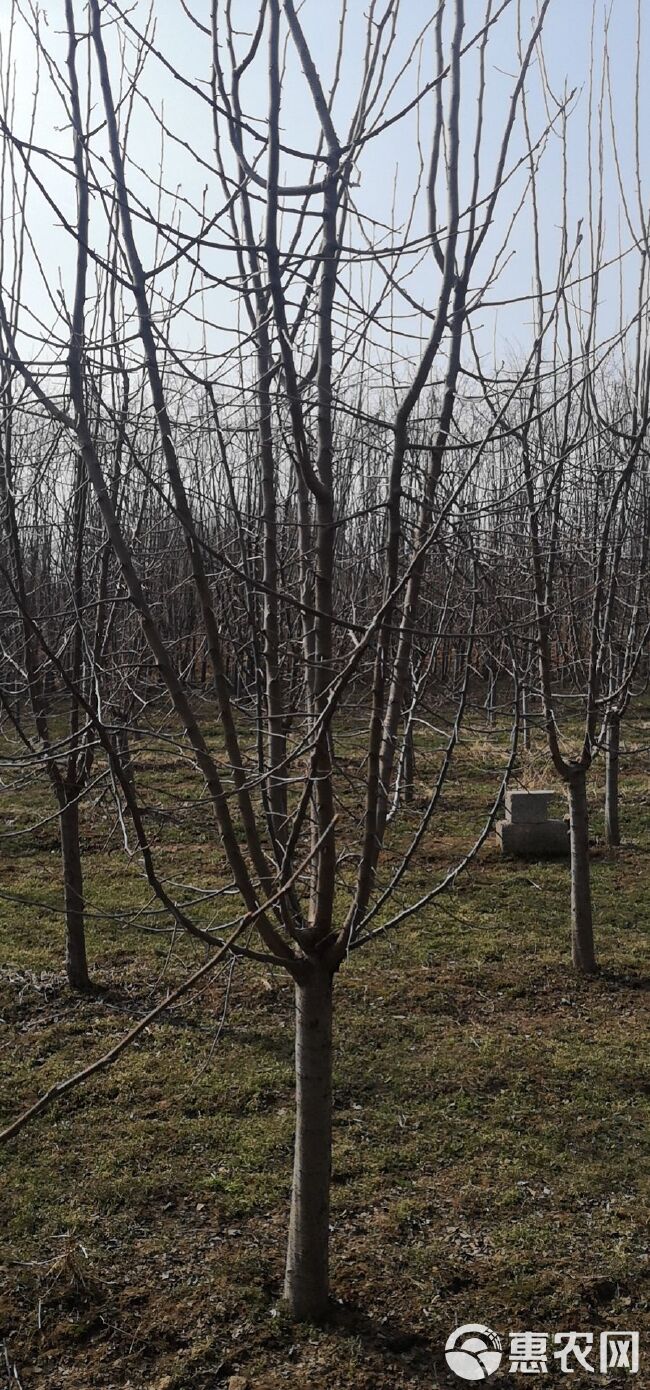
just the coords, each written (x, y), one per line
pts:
(491, 1135)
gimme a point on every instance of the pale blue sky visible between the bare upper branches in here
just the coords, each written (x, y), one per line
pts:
(388, 167)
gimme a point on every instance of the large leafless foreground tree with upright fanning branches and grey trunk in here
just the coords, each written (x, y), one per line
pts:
(328, 529)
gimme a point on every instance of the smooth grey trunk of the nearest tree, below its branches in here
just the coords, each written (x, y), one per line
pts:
(308, 1257)
